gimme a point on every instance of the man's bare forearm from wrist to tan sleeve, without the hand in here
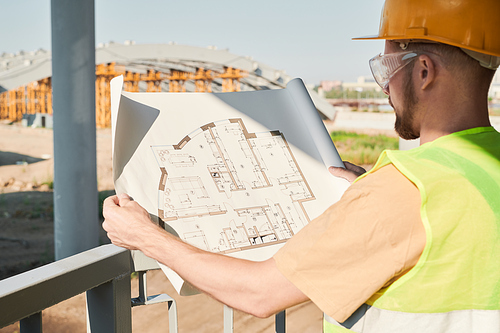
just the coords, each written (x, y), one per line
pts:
(257, 288)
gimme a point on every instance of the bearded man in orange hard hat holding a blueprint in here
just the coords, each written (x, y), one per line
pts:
(413, 245)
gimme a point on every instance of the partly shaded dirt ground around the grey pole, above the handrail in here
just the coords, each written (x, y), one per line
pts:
(26, 198)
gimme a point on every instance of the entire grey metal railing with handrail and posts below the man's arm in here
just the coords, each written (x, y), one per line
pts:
(104, 274)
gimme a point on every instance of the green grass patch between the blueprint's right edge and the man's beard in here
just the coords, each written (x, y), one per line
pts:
(362, 148)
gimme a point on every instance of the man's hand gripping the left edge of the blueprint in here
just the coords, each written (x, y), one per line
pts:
(128, 224)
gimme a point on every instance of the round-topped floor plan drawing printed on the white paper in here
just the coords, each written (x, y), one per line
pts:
(224, 189)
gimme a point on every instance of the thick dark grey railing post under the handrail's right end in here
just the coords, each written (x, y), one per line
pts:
(108, 307)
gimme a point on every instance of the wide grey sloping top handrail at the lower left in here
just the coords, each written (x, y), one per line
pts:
(35, 290)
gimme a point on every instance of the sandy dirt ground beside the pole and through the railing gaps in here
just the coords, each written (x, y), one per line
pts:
(26, 241)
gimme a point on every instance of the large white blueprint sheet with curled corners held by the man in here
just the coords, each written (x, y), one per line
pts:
(232, 173)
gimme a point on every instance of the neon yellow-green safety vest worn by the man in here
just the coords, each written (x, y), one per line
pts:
(455, 285)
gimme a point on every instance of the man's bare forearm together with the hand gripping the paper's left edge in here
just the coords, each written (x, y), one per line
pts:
(257, 288)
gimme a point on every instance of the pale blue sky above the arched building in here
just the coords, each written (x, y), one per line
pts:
(309, 39)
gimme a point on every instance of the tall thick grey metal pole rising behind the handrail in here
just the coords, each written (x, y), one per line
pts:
(73, 81)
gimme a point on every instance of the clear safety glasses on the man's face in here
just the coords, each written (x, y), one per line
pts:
(385, 66)
